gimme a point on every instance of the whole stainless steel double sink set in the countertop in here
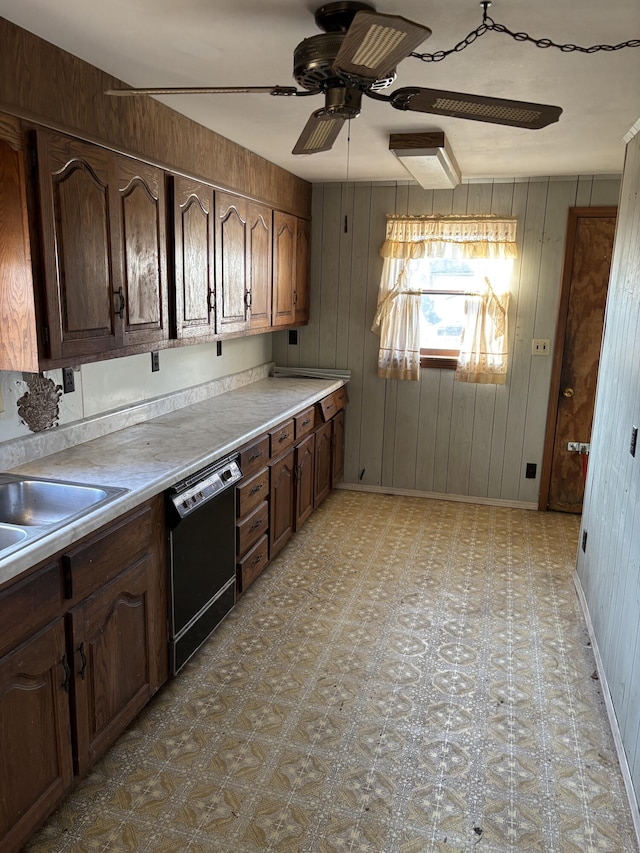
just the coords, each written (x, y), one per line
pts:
(31, 507)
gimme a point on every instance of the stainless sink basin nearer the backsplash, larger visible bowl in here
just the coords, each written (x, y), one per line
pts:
(39, 502)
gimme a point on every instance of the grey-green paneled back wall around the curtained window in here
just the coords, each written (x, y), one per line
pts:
(438, 435)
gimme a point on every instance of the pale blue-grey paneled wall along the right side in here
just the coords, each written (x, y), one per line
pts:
(609, 567)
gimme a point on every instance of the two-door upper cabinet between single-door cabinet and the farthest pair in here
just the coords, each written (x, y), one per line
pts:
(243, 264)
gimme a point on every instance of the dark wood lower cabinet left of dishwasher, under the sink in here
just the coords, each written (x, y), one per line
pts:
(83, 648)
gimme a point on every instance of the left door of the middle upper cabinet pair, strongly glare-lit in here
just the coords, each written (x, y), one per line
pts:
(232, 273)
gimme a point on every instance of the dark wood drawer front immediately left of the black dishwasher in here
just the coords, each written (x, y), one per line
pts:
(101, 558)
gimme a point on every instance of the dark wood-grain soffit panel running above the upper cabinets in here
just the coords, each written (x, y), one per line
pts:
(40, 82)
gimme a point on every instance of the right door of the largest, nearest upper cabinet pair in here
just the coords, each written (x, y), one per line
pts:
(143, 308)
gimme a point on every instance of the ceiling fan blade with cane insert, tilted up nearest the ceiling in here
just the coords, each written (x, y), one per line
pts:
(375, 43)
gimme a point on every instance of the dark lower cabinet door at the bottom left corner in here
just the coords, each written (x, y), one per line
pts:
(36, 766)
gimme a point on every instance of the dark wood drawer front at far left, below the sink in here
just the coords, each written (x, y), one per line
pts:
(29, 604)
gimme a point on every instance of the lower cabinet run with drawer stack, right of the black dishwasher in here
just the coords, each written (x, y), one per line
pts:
(295, 466)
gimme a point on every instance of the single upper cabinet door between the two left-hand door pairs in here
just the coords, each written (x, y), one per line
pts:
(194, 272)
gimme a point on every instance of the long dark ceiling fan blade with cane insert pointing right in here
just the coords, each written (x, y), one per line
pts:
(475, 107)
